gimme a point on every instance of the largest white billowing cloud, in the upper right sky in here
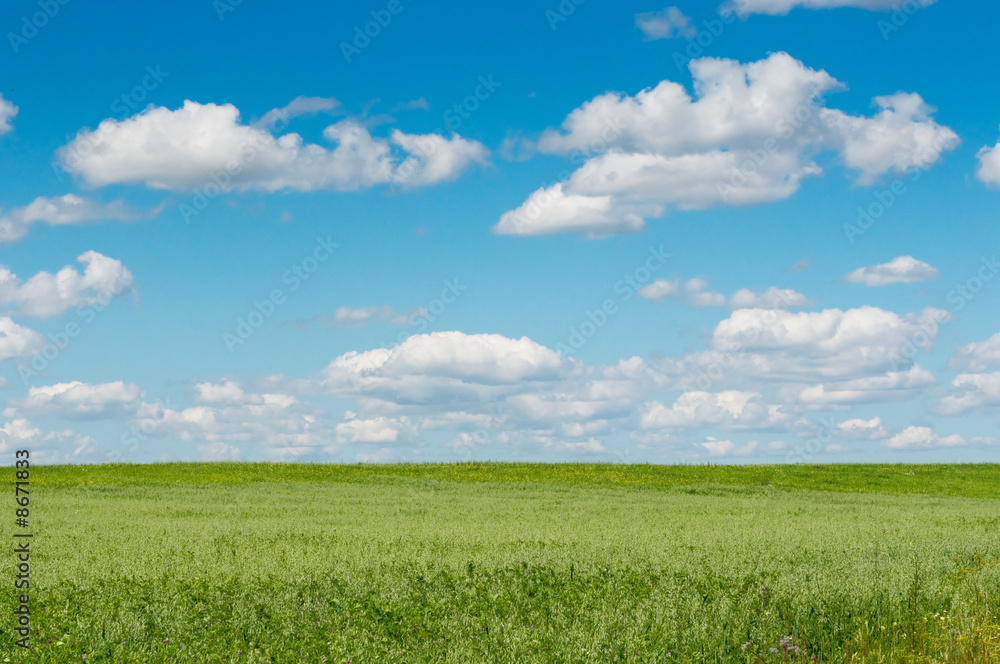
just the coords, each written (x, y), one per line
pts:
(749, 137)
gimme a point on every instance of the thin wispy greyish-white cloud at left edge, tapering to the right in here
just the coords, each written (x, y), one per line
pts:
(64, 210)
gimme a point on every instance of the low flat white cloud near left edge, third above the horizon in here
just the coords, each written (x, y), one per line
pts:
(77, 400)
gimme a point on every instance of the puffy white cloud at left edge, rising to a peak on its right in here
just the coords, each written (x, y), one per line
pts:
(45, 294)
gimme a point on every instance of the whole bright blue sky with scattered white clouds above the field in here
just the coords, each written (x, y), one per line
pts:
(755, 232)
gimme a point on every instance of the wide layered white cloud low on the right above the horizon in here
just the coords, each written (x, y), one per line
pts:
(830, 358)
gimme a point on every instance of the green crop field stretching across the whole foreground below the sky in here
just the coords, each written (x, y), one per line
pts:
(510, 563)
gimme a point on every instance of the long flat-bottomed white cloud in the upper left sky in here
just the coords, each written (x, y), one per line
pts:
(200, 144)
